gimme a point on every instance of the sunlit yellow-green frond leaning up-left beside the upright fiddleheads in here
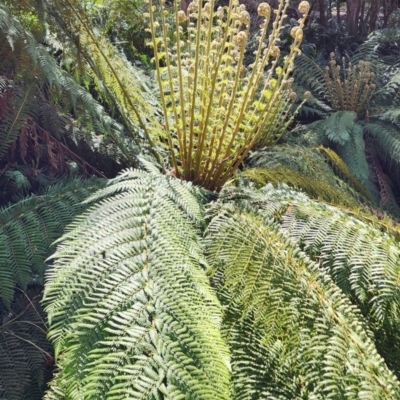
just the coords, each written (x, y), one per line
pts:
(117, 82)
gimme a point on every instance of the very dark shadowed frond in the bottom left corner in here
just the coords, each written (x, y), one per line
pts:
(25, 354)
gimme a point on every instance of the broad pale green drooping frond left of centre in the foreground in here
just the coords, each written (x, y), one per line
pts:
(130, 307)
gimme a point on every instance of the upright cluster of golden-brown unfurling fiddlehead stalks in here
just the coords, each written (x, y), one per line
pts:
(215, 108)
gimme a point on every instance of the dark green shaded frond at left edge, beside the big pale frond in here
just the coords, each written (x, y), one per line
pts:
(29, 227)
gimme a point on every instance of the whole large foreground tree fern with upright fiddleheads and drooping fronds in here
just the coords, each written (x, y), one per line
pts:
(164, 290)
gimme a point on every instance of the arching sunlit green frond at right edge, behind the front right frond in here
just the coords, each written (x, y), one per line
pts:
(358, 249)
